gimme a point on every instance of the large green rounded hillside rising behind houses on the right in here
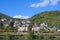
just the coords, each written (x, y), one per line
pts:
(50, 17)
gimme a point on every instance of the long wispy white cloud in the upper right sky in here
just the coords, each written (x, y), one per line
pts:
(45, 3)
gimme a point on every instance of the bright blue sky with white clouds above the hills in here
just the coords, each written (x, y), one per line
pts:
(27, 8)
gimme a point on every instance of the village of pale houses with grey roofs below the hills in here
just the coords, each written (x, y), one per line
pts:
(24, 24)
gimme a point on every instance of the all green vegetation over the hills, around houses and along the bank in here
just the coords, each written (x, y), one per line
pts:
(52, 18)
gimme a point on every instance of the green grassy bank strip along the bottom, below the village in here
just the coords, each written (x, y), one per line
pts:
(18, 36)
